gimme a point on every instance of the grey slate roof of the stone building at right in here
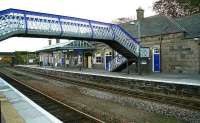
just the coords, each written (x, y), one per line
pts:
(160, 24)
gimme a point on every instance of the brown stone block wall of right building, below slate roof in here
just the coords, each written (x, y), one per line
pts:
(178, 54)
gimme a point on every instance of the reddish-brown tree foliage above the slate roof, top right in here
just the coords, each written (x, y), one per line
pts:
(177, 8)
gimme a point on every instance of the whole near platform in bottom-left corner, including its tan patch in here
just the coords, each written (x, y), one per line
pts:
(17, 108)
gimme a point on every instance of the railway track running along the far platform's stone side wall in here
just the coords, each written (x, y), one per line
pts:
(171, 100)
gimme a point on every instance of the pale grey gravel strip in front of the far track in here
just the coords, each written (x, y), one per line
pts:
(190, 116)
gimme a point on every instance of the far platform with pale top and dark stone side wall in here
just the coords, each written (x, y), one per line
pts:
(179, 85)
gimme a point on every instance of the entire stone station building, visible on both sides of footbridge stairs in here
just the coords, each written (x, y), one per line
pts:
(176, 41)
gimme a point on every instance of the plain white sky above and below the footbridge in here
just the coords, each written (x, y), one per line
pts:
(101, 10)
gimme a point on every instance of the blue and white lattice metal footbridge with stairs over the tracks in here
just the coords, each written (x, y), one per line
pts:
(22, 23)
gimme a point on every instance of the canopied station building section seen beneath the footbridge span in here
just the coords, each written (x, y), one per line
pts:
(76, 53)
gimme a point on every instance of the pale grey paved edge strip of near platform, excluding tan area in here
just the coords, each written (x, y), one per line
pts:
(29, 111)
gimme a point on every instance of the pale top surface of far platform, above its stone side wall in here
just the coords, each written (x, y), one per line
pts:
(184, 79)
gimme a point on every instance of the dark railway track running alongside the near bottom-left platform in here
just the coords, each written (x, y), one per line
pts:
(65, 113)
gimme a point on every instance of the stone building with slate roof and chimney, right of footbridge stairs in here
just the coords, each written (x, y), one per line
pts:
(177, 40)
